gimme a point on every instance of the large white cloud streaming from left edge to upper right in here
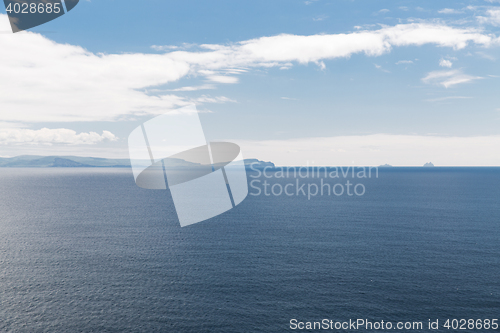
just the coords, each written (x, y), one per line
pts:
(66, 83)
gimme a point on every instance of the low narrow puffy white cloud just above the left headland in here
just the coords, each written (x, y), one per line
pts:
(46, 136)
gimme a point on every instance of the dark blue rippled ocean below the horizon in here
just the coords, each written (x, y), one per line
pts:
(86, 250)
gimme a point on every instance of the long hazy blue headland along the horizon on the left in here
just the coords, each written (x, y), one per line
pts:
(33, 161)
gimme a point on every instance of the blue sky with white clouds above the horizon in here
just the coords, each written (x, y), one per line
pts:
(318, 82)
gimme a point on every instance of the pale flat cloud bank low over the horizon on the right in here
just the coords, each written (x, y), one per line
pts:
(378, 149)
